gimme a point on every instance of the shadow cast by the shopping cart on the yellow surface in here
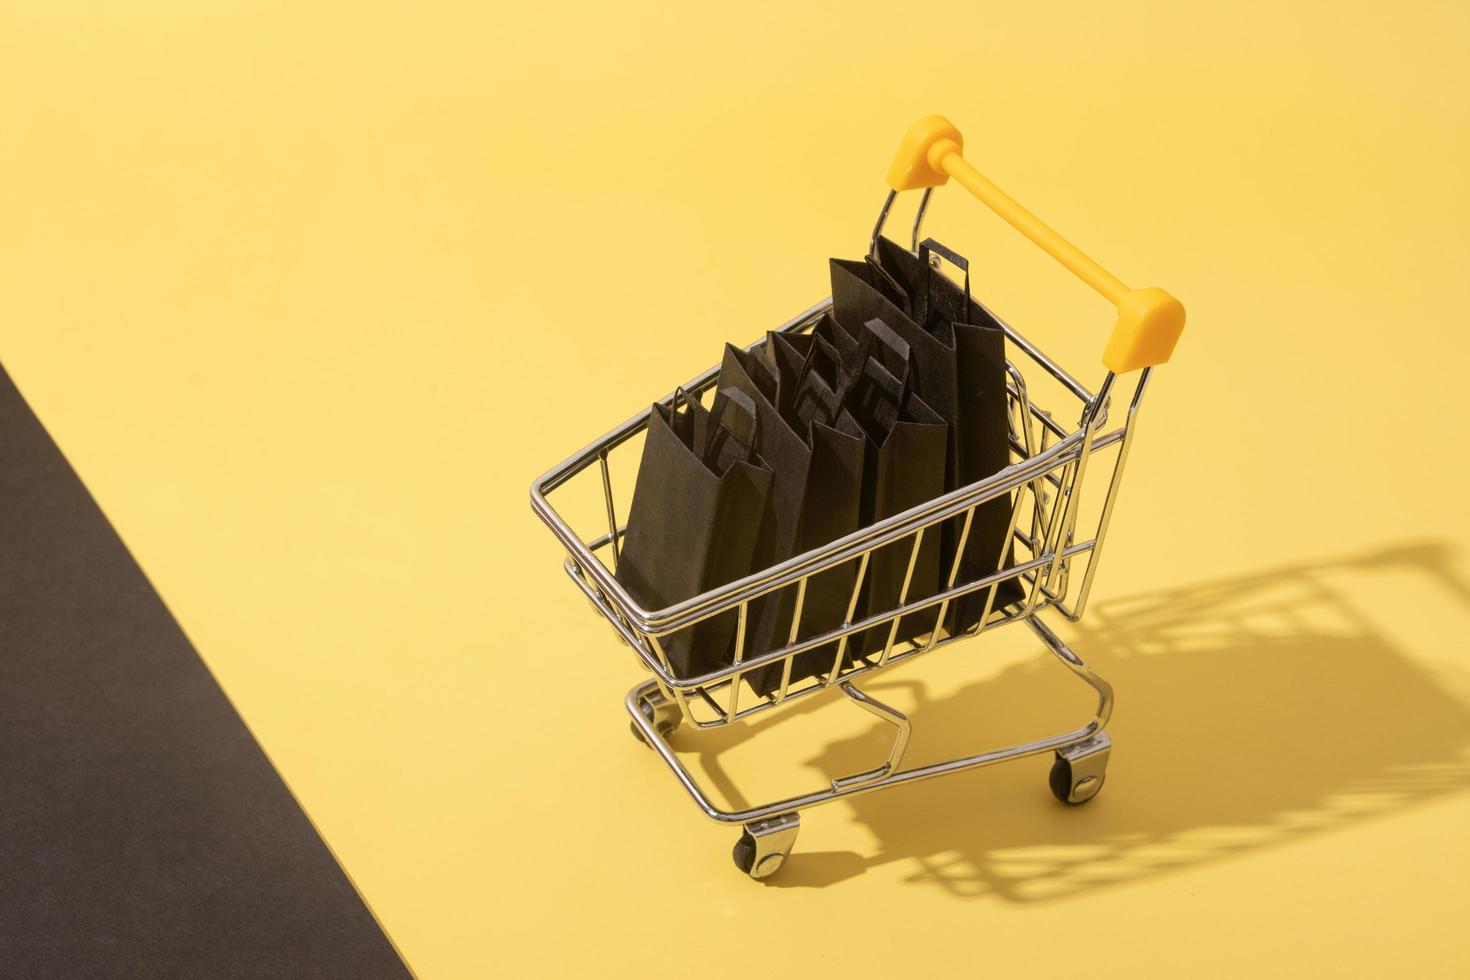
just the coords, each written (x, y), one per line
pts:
(1253, 712)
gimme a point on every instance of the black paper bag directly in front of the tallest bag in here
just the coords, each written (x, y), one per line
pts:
(905, 468)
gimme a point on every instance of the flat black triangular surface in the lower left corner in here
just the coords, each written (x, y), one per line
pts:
(143, 832)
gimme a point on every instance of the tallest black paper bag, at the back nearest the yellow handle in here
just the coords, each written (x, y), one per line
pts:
(958, 355)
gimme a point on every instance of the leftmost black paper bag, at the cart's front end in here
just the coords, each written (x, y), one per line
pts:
(699, 509)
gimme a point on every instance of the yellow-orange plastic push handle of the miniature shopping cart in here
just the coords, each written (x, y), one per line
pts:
(1149, 321)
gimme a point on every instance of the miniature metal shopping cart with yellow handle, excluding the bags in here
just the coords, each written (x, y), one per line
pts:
(1052, 561)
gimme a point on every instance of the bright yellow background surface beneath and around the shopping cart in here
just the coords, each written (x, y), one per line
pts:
(311, 293)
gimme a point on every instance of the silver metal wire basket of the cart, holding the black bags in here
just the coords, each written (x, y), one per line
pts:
(1044, 483)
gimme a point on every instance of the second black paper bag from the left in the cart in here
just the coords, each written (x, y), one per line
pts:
(817, 455)
